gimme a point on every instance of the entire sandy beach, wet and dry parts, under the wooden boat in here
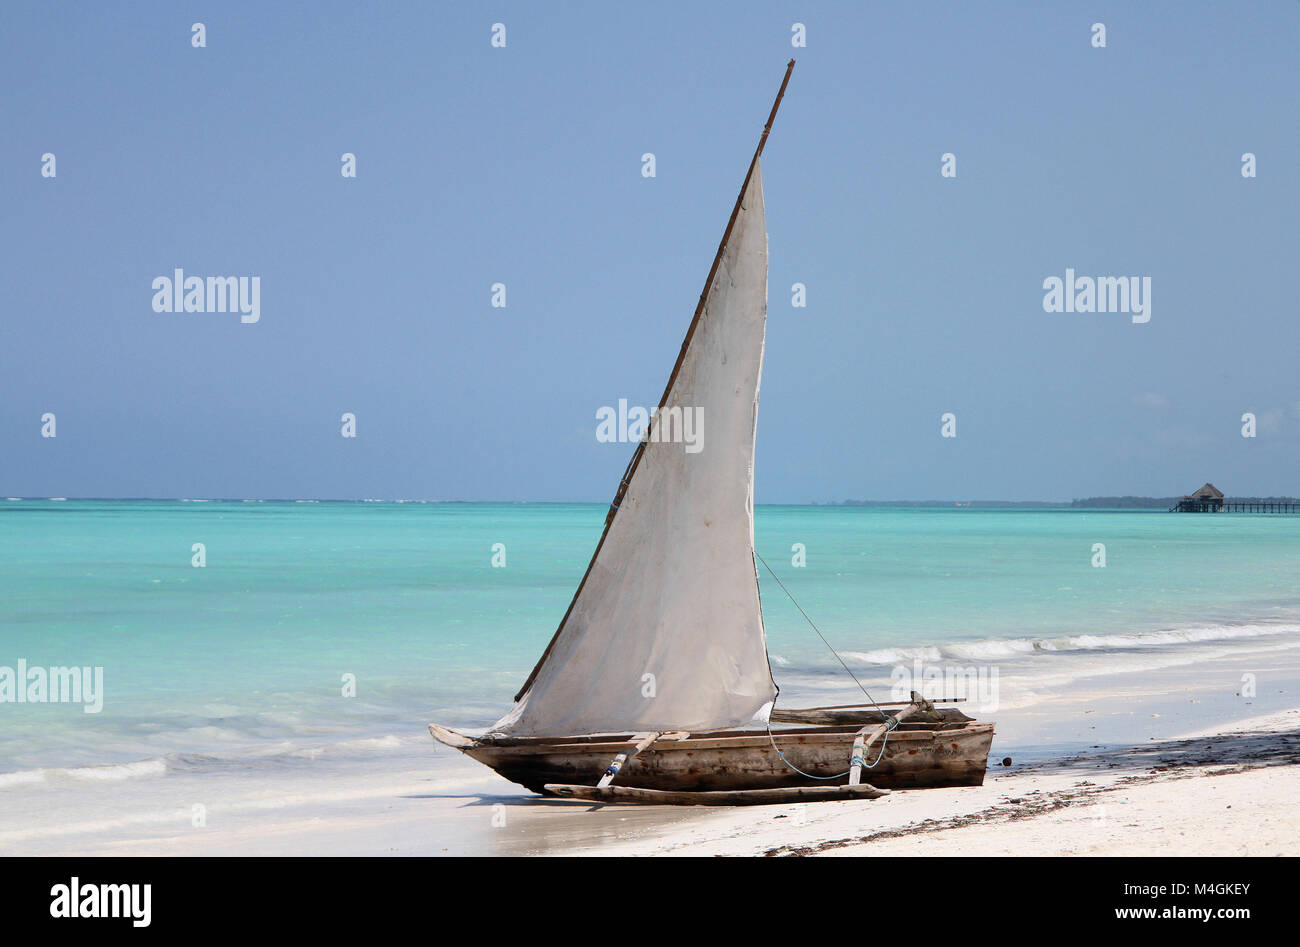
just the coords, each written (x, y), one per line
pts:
(1121, 763)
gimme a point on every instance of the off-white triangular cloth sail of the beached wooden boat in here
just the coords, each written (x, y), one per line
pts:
(666, 632)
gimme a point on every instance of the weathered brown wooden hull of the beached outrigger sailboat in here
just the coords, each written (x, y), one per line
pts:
(916, 756)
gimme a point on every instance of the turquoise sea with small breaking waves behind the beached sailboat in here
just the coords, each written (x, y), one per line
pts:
(245, 659)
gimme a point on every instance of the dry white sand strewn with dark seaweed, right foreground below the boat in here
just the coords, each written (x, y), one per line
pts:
(1228, 793)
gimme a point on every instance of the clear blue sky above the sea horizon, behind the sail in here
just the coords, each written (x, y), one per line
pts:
(522, 166)
